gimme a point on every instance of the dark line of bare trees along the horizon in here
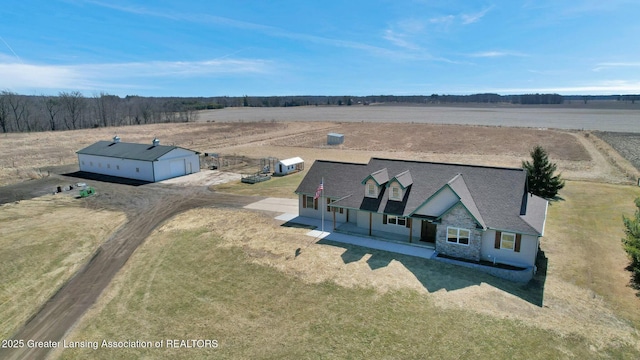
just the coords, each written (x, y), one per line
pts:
(73, 110)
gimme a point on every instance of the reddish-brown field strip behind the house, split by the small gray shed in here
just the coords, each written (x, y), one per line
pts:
(447, 139)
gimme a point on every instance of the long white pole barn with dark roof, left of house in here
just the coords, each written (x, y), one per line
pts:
(147, 162)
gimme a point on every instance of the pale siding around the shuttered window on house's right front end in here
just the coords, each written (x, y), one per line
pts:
(526, 256)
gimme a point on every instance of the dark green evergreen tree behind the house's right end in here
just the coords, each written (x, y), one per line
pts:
(540, 177)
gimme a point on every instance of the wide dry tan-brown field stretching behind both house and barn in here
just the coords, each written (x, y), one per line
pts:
(25, 154)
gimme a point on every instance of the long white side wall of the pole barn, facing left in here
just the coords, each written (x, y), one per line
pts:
(126, 168)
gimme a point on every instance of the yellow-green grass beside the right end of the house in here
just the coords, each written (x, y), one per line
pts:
(583, 240)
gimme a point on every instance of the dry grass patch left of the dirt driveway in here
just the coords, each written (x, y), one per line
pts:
(44, 242)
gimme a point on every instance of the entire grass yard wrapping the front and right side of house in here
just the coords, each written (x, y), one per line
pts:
(234, 276)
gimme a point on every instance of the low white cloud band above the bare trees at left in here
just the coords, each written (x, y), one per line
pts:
(21, 76)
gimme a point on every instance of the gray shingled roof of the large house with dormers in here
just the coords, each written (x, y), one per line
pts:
(493, 195)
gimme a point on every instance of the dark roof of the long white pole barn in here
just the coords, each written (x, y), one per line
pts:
(124, 150)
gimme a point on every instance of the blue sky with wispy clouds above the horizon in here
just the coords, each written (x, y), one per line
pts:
(281, 47)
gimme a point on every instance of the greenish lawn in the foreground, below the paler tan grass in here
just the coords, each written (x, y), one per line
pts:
(185, 284)
